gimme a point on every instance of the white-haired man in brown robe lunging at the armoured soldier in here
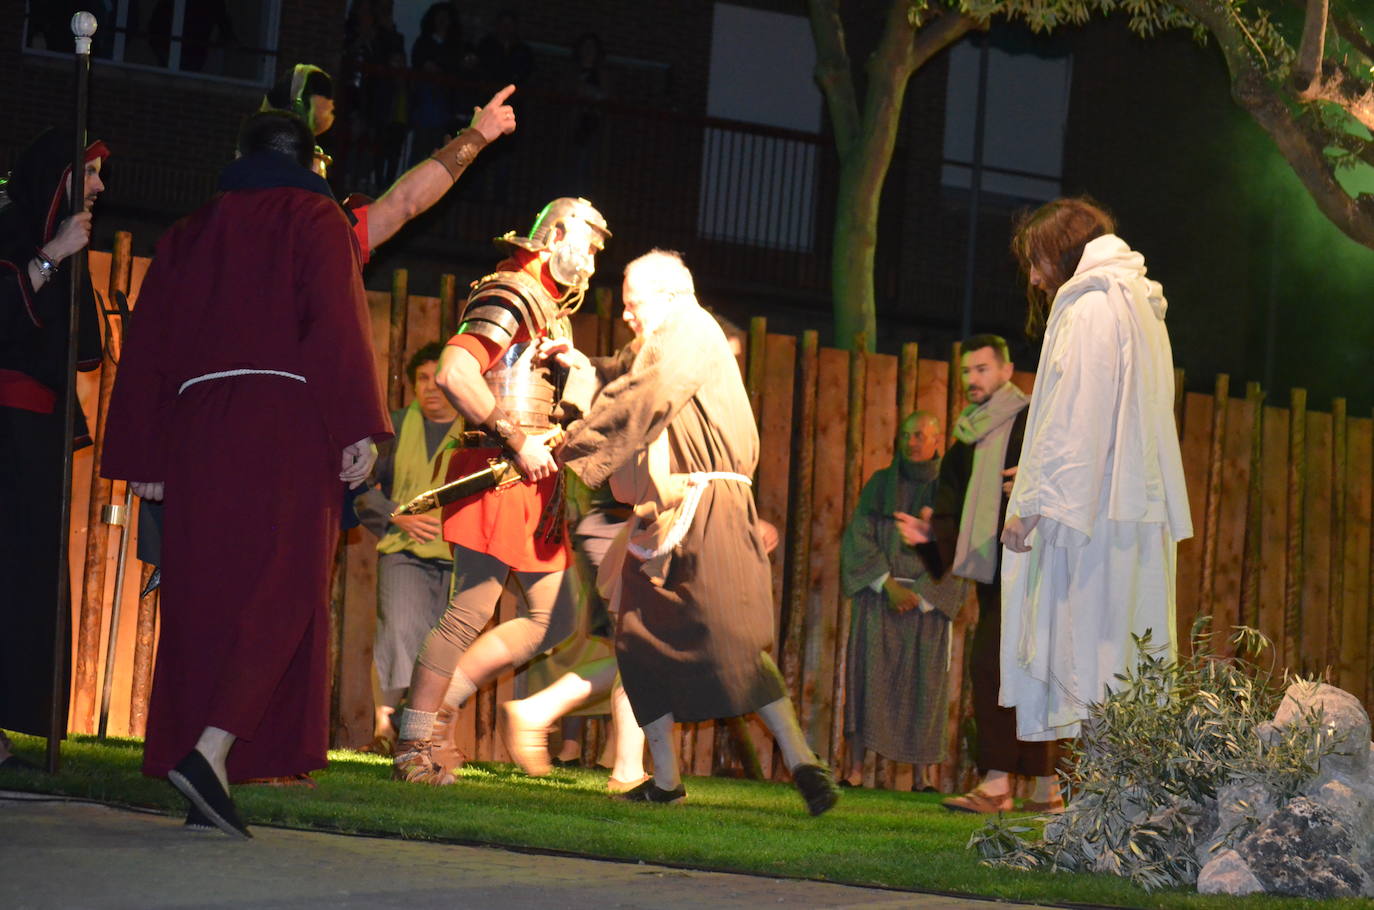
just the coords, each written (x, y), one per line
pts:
(674, 435)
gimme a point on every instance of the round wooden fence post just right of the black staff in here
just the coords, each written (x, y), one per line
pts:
(98, 533)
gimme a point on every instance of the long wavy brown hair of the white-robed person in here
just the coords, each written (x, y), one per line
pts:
(1052, 238)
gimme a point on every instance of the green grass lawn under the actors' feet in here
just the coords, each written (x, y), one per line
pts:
(873, 838)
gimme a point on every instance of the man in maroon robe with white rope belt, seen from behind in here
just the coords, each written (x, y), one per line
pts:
(249, 369)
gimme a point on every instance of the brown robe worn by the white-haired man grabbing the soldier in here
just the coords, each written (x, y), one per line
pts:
(693, 640)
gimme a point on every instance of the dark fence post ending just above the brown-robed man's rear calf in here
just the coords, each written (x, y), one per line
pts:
(800, 519)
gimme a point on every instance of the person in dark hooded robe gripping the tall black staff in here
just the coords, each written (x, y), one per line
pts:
(39, 236)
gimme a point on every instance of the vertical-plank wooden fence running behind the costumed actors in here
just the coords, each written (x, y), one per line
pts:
(1281, 508)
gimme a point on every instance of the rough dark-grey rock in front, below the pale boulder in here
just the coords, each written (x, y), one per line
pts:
(1305, 850)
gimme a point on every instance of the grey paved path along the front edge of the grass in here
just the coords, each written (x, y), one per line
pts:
(85, 856)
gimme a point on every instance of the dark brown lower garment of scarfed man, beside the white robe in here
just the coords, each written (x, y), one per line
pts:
(998, 746)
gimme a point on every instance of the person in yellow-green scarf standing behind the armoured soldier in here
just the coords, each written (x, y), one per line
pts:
(416, 564)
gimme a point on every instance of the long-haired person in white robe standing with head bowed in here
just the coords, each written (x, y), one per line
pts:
(1100, 502)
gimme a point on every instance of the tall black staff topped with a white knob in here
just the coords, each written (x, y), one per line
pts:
(83, 27)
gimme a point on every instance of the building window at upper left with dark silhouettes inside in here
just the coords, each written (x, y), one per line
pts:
(215, 39)
